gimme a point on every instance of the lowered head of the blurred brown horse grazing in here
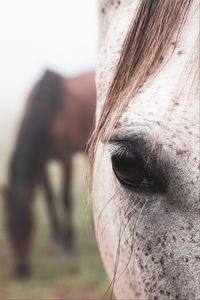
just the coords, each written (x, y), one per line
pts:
(18, 200)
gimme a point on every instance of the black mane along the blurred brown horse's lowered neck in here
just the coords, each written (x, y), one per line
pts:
(33, 137)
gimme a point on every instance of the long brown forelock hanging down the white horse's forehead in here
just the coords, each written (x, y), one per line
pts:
(153, 33)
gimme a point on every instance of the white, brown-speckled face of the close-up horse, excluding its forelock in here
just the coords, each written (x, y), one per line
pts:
(146, 178)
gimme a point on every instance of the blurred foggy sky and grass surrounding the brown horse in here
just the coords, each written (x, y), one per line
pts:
(35, 36)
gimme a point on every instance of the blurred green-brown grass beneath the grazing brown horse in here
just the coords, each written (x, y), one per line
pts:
(56, 275)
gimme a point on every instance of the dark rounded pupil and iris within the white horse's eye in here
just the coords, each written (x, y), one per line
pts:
(129, 168)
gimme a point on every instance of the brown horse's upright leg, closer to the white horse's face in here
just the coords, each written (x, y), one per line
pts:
(67, 203)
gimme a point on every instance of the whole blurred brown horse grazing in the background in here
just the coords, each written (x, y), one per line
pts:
(57, 123)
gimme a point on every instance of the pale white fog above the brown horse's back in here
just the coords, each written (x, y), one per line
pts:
(40, 34)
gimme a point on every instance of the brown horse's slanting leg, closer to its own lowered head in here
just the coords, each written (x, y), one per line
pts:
(51, 207)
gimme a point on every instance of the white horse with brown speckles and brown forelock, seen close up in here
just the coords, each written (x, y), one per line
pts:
(144, 151)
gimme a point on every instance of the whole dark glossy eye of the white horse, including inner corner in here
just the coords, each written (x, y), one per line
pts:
(131, 172)
